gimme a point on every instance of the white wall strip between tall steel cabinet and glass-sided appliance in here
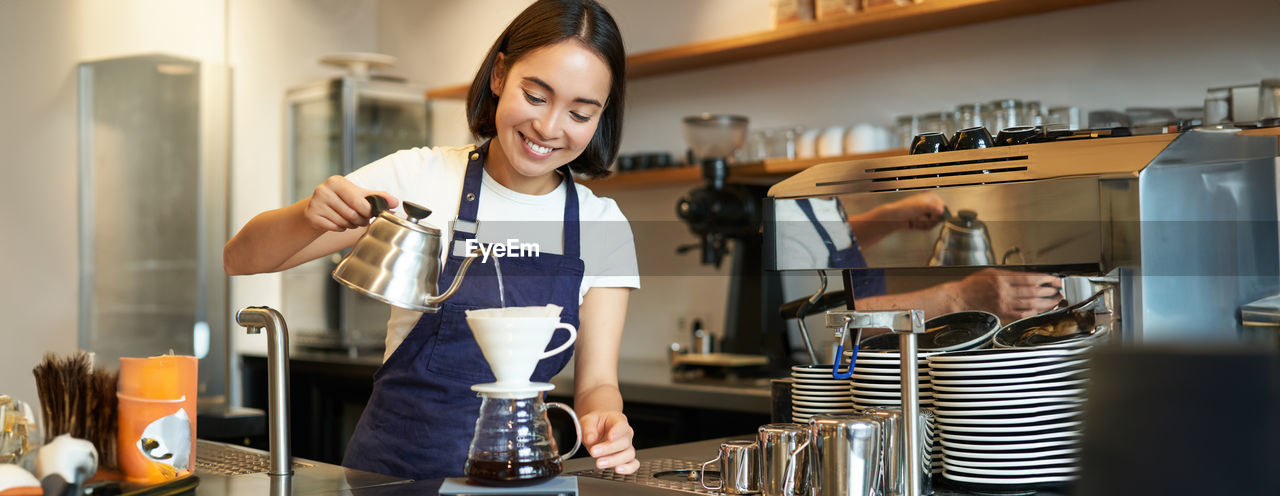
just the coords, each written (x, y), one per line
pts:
(275, 47)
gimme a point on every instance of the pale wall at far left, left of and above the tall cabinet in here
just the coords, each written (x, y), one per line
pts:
(43, 42)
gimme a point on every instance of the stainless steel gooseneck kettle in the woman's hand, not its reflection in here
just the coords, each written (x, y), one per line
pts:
(397, 260)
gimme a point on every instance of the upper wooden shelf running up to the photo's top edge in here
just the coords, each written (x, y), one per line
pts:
(797, 38)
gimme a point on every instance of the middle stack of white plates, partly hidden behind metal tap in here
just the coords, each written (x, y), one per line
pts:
(877, 383)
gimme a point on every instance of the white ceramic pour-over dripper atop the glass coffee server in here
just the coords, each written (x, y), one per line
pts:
(514, 339)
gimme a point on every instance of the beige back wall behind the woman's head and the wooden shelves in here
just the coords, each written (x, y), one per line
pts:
(1128, 54)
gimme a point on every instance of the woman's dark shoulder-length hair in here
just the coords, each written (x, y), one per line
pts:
(548, 22)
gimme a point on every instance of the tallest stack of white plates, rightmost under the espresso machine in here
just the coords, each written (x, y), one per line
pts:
(1009, 420)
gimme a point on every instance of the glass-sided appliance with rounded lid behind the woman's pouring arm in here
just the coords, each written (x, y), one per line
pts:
(336, 127)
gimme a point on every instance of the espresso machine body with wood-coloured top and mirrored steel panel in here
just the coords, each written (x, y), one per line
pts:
(1186, 223)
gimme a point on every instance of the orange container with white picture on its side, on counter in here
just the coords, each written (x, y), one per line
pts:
(157, 437)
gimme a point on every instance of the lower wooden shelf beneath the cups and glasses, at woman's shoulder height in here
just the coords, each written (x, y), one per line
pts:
(764, 173)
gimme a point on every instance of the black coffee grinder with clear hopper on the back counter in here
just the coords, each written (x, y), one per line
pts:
(728, 219)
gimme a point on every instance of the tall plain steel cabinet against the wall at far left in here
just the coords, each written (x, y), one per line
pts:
(153, 212)
